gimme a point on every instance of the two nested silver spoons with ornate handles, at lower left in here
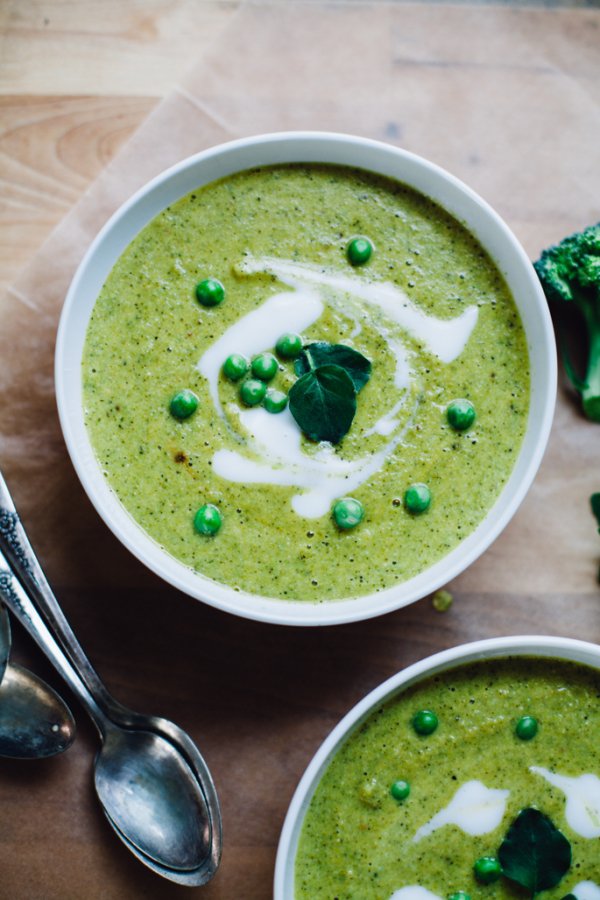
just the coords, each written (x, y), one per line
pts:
(152, 782)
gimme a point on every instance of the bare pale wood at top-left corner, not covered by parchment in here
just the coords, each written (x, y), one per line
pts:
(122, 58)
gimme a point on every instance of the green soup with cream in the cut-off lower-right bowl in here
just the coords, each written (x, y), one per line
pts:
(359, 842)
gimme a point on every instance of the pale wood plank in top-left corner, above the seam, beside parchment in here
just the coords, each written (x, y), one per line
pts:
(106, 47)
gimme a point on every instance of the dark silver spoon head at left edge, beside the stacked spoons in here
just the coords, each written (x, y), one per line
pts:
(34, 721)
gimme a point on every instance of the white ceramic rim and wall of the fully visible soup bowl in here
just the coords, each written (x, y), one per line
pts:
(224, 160)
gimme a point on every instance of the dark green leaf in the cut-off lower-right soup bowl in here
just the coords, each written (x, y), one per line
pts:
(534, 852)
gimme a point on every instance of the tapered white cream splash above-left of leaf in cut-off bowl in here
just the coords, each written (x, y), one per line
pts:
(474, 808)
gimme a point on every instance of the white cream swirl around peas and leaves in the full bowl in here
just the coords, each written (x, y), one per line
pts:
(273, 453)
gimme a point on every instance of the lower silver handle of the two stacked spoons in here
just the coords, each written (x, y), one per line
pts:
(17, 600)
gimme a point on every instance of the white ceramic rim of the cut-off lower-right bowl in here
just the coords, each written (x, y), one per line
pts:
(494, 648)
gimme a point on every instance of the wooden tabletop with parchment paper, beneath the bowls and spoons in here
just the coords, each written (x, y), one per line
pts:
(76, 80)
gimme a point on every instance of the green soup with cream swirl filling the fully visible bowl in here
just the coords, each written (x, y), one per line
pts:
(430, 312)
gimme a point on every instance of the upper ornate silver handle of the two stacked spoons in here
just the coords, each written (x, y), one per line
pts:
(19, 553)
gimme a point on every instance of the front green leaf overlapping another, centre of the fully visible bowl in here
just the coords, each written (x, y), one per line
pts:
(323, 403)
